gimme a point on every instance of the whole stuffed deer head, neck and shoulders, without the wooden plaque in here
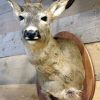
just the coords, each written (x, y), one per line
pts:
(60, 71)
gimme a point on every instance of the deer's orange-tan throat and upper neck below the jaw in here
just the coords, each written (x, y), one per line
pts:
(38, 52)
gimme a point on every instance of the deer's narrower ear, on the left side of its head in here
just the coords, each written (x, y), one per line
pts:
(17, 8)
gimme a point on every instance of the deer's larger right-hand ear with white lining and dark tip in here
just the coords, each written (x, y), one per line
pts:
(58, 7)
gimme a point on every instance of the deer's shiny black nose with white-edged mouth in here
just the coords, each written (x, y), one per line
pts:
(31, 35)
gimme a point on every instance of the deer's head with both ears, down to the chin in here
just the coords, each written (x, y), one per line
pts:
(36, 19)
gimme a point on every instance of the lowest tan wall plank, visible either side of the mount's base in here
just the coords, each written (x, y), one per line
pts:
(29, 92)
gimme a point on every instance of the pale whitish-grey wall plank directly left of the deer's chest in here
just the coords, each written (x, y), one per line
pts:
(16, 70)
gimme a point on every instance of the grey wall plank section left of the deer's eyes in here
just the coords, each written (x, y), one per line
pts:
(8, 23)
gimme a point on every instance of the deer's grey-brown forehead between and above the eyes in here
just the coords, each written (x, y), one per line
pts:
(33, 14)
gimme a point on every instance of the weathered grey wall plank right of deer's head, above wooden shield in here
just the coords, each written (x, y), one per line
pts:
(85, 25)
